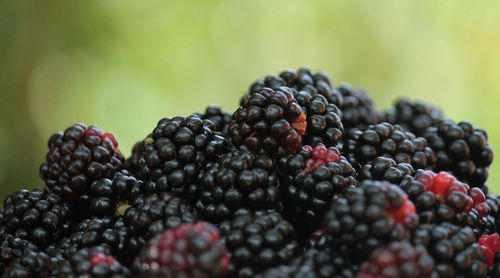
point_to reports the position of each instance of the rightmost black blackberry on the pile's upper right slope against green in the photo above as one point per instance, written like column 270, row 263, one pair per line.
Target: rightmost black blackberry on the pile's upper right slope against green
column 461, row 149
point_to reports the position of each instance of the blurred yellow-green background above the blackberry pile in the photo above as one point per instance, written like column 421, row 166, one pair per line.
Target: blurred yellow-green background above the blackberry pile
column 123, row 65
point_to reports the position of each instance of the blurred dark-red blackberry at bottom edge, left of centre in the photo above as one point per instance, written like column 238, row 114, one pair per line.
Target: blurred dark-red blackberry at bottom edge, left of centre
column 189, row 250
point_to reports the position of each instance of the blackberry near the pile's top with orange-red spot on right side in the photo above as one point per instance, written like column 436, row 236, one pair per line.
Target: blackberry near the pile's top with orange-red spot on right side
column 270, row 120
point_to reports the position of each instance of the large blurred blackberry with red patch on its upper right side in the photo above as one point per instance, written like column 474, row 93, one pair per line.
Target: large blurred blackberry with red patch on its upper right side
column 366, row 218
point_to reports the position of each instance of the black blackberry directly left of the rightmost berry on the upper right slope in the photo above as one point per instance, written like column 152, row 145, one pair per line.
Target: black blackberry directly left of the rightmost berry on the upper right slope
column 387, row 152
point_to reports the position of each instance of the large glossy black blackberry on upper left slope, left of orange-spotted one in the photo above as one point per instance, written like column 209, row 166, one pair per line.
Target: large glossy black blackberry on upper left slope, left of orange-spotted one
column 175, row 152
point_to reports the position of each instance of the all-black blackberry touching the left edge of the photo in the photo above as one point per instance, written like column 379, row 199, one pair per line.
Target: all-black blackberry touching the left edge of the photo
column 38, row 216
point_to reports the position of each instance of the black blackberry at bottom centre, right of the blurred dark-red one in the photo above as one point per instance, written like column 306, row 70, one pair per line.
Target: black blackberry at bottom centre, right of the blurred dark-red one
column 258, row 241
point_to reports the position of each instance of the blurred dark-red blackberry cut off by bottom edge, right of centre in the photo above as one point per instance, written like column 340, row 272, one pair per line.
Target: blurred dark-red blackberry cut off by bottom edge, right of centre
column 398, row 259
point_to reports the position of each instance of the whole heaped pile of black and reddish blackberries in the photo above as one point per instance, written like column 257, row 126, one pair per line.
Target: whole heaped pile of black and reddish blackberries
column 304, row 179
